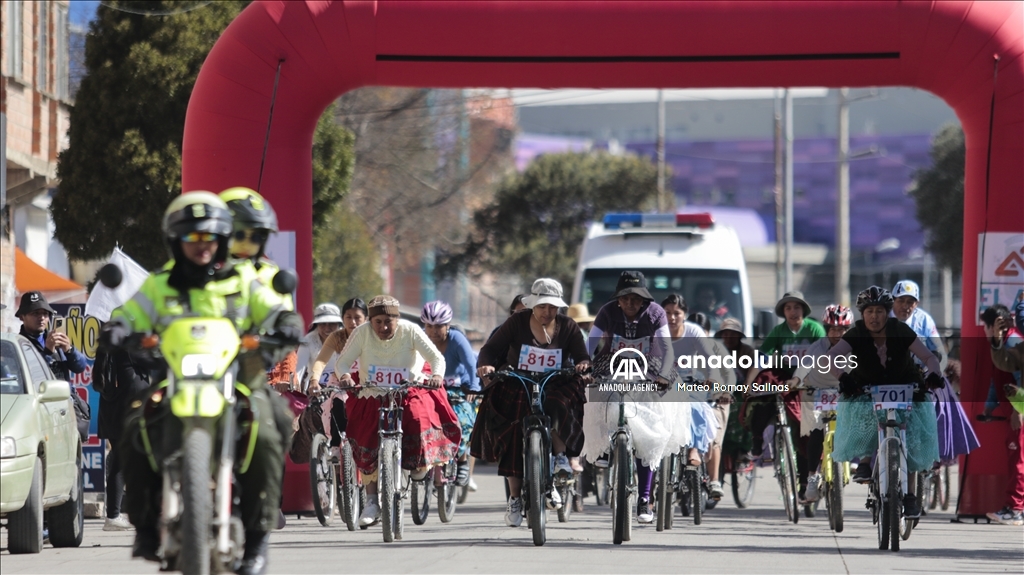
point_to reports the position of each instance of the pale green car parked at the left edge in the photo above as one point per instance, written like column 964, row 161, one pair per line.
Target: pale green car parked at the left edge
column 41, row 460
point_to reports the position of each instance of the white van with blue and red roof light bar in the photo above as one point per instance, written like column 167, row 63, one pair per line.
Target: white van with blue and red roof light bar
column 685, row 254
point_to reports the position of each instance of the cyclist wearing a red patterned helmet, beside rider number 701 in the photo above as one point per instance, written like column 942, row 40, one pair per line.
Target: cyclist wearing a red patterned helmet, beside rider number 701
column 837, row 321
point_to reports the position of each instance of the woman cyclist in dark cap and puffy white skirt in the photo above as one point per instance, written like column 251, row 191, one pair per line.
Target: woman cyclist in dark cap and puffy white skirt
column 632, row 320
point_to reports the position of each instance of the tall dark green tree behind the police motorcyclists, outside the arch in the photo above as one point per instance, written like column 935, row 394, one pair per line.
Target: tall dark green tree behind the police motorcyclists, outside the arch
column 123, row 165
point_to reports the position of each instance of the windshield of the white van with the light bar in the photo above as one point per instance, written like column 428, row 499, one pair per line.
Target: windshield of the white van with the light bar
column 716, row 293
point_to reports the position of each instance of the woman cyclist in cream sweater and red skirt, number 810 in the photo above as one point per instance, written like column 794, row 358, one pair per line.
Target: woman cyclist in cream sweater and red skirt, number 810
column 431, row 429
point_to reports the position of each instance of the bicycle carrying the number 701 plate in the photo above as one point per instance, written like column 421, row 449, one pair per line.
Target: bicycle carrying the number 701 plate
column 890, row 479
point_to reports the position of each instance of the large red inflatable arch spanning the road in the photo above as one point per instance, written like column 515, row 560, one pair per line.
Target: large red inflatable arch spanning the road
column 953, row 50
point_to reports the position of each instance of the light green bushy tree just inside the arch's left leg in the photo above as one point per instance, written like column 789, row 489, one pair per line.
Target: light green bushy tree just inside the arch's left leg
column 349, row 259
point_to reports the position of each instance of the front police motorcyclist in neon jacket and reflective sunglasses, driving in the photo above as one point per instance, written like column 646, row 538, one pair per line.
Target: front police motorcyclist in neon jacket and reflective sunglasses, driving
column 202, row 282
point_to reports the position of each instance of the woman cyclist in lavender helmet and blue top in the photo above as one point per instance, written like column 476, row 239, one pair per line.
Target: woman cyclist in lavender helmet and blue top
column 460, row 374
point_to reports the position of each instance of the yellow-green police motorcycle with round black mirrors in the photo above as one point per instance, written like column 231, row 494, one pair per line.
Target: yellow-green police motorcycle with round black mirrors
column 210, row 437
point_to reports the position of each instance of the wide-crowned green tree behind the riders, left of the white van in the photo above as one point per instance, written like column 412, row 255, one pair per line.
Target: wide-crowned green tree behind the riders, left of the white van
column 537, row 223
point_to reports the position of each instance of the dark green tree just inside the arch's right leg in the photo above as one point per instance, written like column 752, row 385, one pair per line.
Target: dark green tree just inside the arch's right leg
column 938, row 193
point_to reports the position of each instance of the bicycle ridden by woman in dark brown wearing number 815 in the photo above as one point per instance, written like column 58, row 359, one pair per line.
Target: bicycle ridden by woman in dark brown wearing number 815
column 538, row 480
